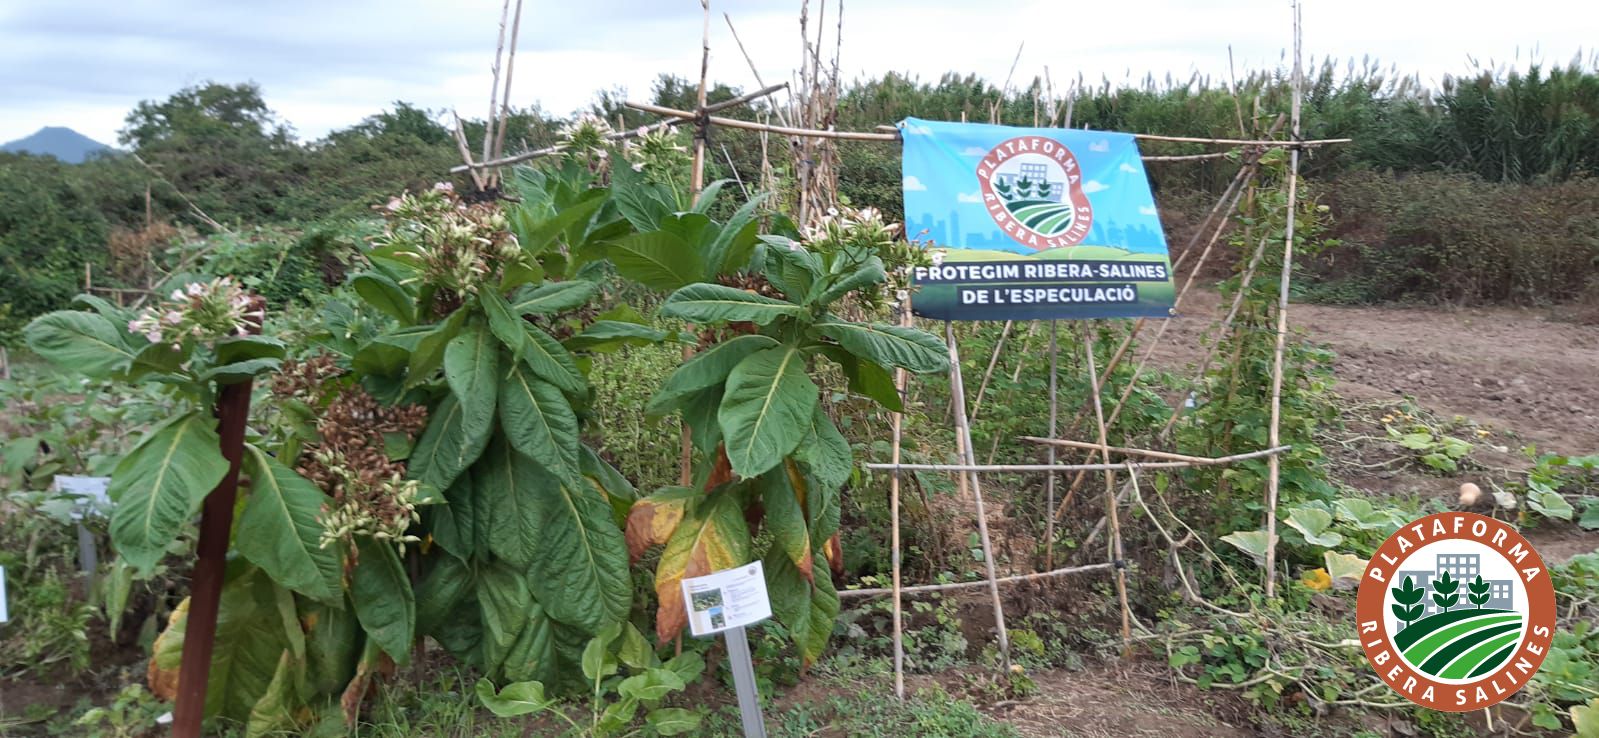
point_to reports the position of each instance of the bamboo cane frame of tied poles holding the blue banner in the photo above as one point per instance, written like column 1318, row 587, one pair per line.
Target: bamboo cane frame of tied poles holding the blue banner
column 807, row 124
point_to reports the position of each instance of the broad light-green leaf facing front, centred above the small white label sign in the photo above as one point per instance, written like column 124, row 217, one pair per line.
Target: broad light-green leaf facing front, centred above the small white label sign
column 767, row 410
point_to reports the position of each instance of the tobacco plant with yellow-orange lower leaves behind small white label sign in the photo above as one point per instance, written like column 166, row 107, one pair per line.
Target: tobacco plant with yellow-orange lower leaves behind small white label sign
column 768, row 454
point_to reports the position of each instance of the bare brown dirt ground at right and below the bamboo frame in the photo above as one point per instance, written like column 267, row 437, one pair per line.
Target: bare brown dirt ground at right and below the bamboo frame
column 1517, row 373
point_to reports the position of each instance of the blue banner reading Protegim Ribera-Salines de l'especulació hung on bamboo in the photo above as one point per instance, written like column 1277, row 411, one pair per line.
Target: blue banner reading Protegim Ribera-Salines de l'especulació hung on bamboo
column 1034, row 224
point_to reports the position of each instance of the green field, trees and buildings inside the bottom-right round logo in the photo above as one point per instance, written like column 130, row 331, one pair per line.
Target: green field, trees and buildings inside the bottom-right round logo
column 1454, row 629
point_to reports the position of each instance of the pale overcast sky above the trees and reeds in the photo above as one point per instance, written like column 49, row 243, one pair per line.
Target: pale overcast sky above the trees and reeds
column 327, row 65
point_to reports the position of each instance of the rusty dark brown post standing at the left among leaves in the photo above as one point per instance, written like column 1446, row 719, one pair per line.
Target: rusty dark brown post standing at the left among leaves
column 205, row 595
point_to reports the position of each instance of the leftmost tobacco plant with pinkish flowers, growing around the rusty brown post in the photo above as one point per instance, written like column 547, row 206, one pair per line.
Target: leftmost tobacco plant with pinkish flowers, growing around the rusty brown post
column 196, row 341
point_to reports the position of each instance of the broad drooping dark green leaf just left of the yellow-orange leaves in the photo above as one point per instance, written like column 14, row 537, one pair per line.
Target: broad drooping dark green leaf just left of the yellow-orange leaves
column 580, row 565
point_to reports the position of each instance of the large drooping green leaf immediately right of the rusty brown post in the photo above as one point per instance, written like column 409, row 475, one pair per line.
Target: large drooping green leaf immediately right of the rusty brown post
column 281, row 530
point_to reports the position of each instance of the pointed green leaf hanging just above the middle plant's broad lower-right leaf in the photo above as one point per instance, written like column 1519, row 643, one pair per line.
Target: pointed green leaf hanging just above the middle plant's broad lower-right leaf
column 540, row 423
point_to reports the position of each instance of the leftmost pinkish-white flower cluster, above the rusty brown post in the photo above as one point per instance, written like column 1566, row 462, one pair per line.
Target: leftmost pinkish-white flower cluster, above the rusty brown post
column 202, row 312
